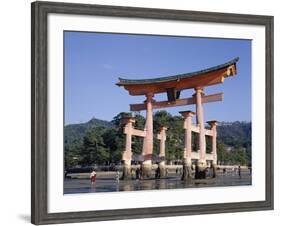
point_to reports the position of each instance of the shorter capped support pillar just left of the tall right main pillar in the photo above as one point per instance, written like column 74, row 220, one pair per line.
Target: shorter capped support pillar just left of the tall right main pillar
column 187, row 172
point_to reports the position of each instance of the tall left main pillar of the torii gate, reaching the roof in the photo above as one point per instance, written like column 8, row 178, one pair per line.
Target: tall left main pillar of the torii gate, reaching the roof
column 147, row 148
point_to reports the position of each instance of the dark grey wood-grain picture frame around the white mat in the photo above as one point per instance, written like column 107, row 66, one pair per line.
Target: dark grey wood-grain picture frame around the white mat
column 39, row 191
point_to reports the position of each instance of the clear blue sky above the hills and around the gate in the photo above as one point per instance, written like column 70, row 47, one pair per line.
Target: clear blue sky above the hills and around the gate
column 94, row 61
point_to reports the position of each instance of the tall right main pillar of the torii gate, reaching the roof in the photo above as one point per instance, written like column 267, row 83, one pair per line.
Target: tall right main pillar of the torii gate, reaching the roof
column 201, row 164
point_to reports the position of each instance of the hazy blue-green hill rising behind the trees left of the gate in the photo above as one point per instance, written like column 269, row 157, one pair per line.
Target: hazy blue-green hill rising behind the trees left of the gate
column 75, row 132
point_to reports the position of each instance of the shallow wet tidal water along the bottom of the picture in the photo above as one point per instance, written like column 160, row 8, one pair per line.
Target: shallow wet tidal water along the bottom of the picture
column 109, row 184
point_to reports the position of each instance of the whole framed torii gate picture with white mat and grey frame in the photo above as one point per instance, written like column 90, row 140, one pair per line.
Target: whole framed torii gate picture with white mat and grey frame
column 140, row 112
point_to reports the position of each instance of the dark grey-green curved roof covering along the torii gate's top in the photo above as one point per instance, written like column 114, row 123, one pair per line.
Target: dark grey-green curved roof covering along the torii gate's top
column 123, row 81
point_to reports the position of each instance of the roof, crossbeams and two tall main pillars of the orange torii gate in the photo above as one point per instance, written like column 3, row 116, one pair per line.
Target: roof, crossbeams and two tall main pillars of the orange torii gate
column 173, row 85
